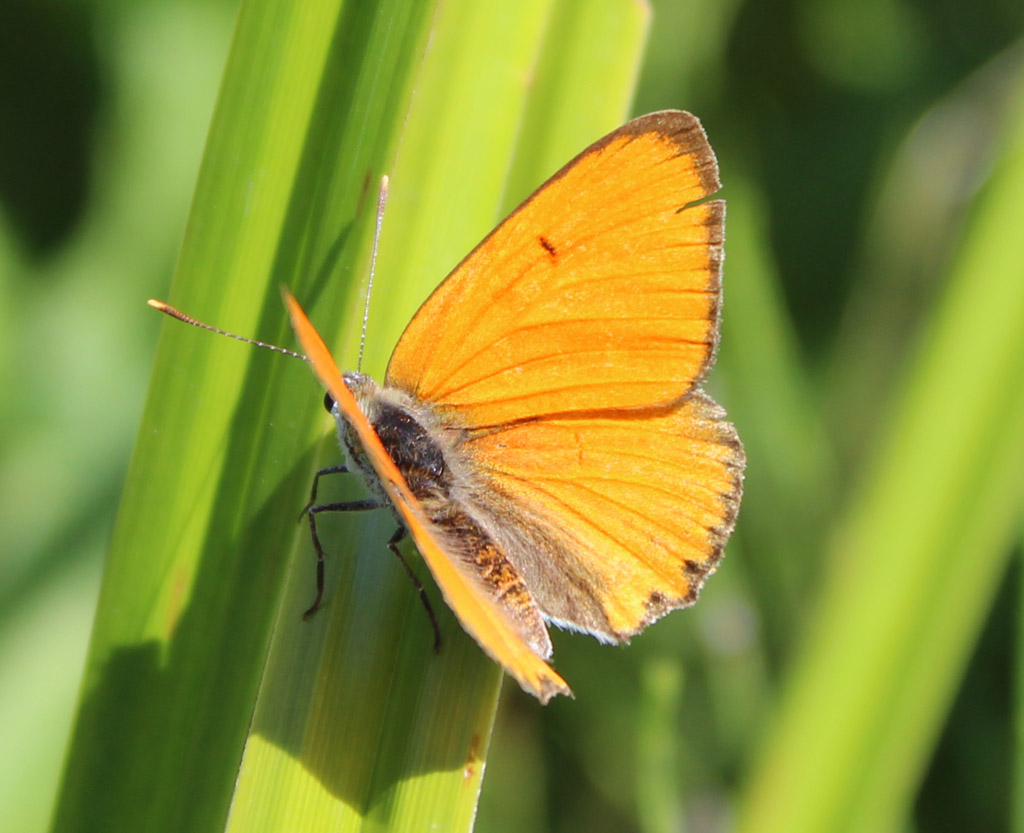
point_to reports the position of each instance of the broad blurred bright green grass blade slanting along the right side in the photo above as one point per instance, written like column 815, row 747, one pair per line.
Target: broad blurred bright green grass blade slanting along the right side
column 918, row 563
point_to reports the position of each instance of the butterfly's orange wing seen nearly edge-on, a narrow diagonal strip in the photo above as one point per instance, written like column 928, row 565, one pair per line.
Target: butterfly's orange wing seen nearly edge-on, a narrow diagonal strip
column 482, row 618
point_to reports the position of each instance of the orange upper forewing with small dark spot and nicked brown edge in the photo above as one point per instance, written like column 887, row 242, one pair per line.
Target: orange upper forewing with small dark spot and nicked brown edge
column 603, row 290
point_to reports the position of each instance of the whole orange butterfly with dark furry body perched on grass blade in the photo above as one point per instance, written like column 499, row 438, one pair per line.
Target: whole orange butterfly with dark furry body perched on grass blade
column 541, row 431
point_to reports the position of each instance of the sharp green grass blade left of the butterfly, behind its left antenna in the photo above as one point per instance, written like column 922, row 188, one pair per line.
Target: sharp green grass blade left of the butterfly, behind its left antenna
column 196, row 568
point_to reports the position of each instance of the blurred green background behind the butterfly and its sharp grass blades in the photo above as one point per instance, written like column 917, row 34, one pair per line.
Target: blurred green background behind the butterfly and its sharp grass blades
column 866, row 150
